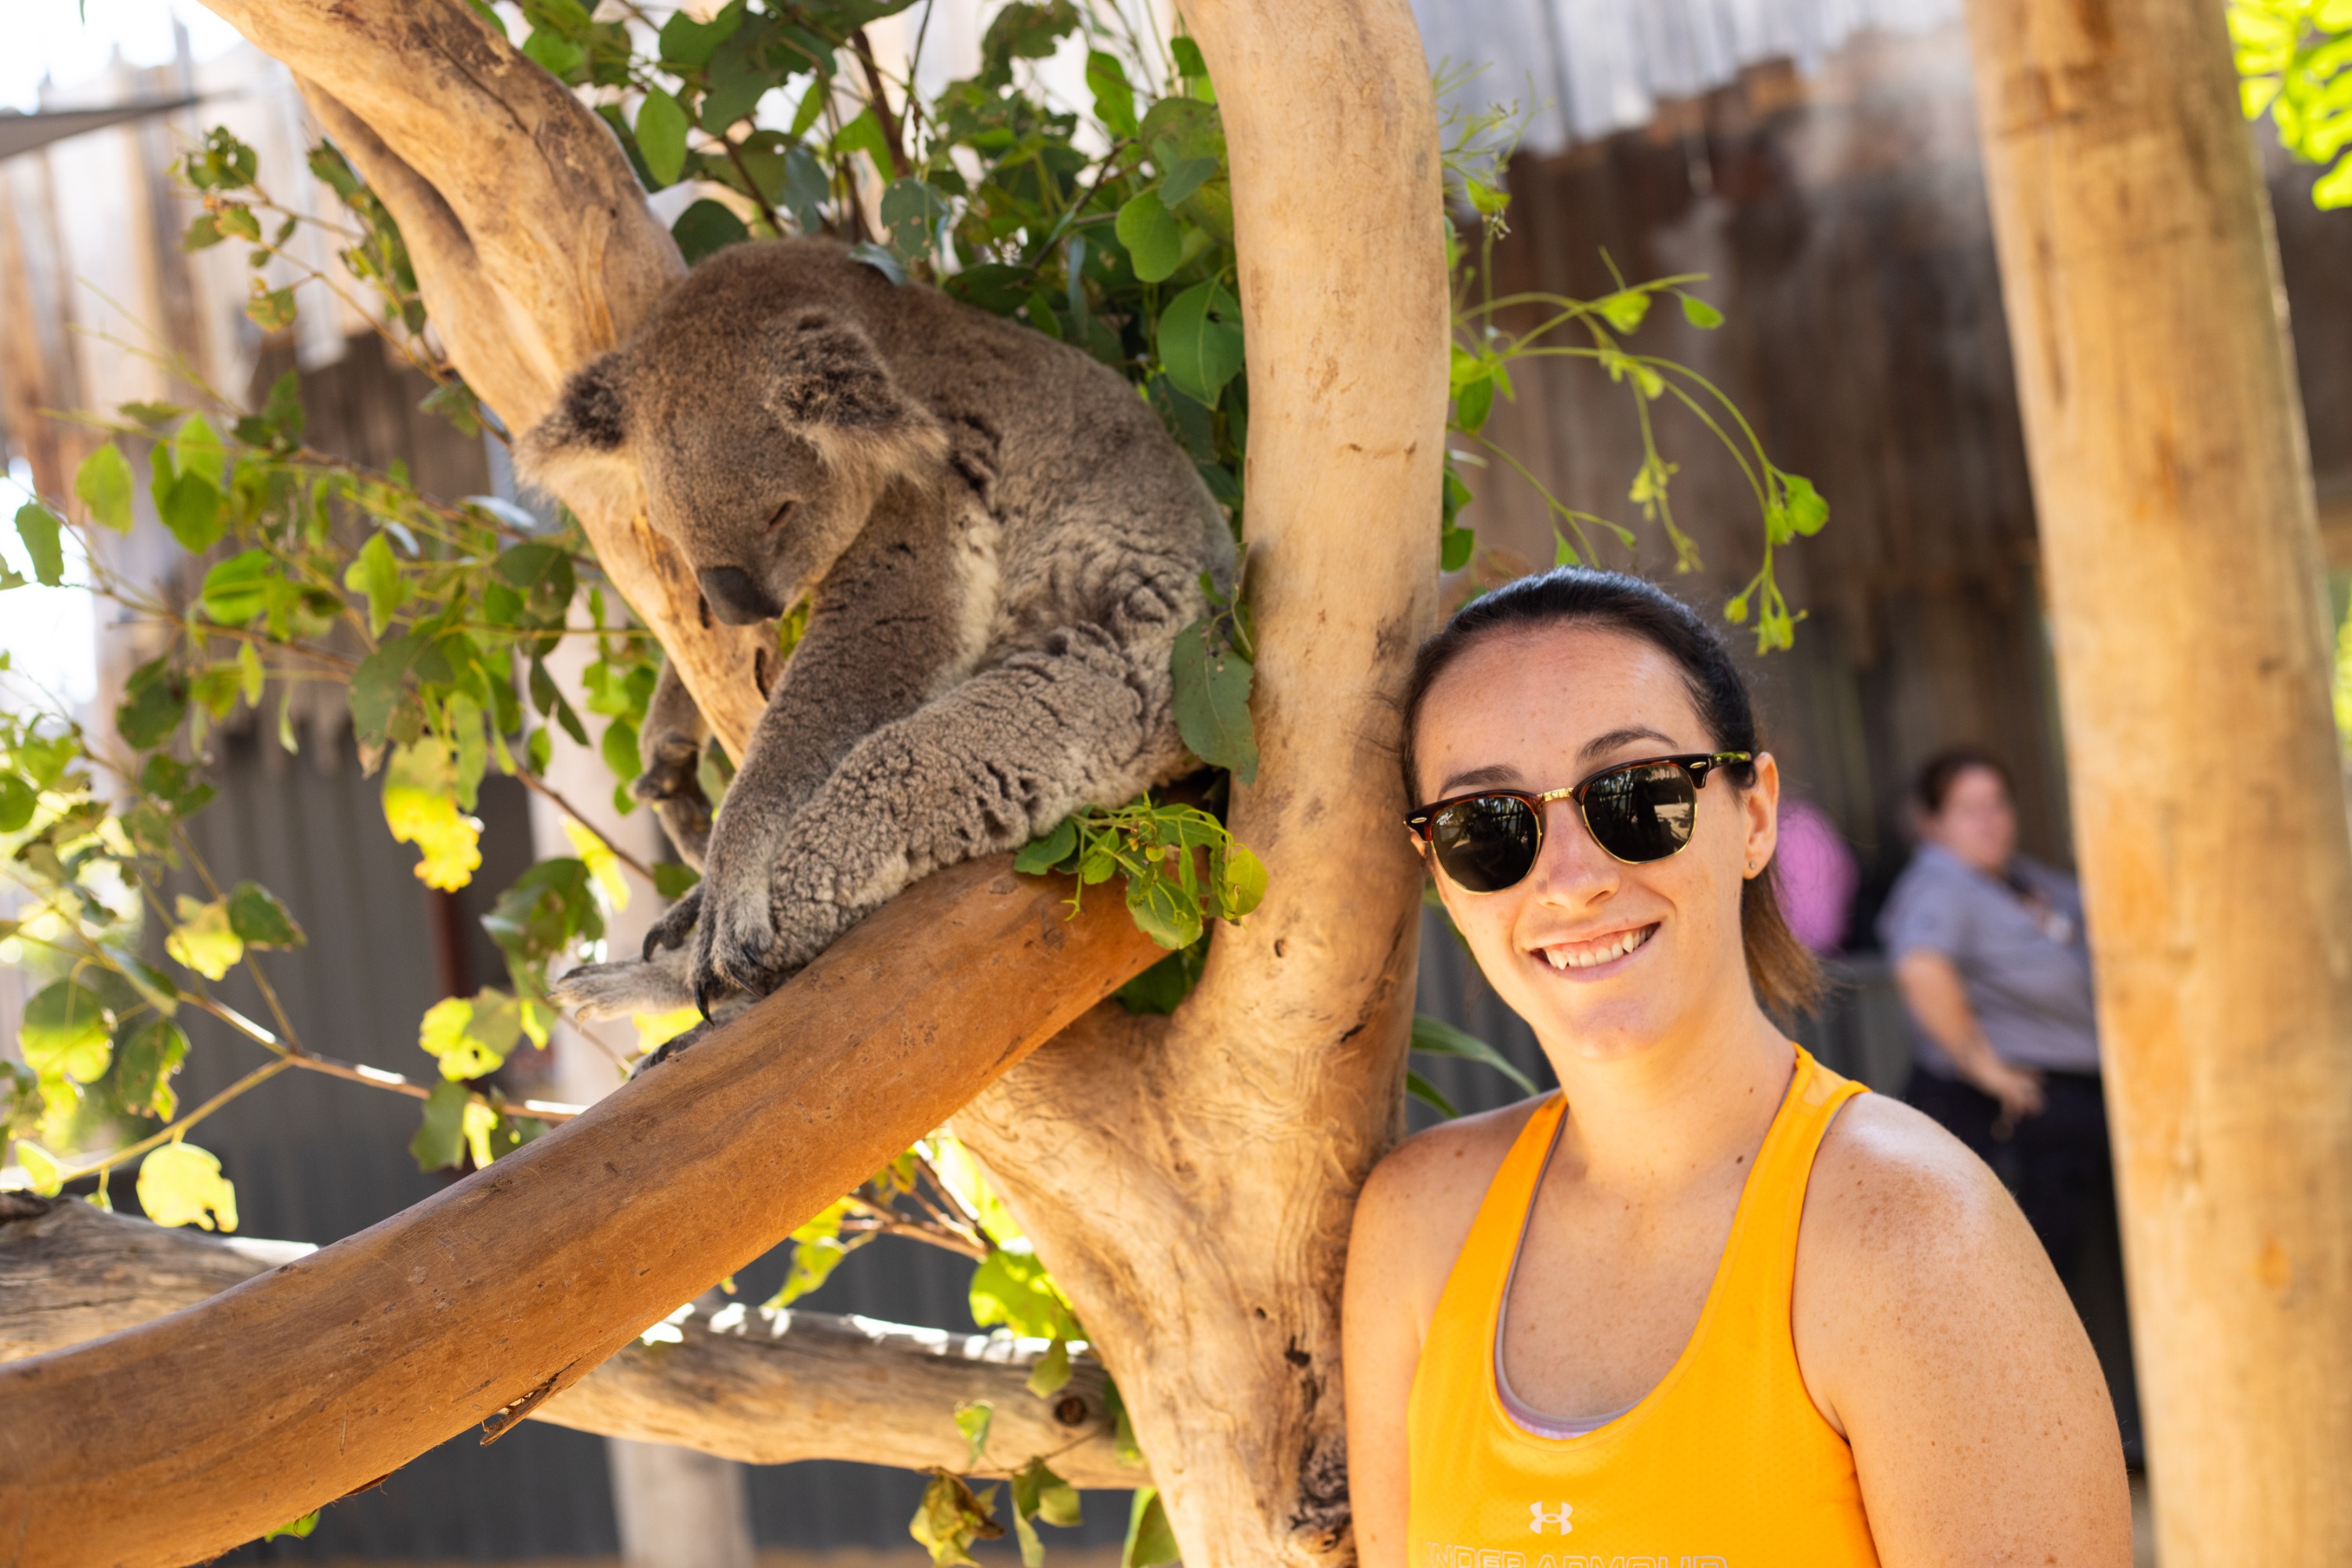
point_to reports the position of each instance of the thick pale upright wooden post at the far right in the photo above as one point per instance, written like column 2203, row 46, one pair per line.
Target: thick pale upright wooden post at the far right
column 2186, row 598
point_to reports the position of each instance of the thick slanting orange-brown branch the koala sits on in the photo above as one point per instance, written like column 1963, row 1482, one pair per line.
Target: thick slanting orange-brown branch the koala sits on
column 514, row 1285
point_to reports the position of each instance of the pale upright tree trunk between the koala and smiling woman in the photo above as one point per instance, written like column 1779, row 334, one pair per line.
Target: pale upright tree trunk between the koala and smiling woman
column 1191, row 1181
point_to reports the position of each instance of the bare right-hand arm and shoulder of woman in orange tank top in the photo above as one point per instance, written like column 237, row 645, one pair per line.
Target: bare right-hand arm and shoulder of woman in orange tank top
column 1937, row 1336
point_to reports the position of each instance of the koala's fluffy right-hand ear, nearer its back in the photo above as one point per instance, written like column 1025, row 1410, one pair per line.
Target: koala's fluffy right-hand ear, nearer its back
column 831, row 389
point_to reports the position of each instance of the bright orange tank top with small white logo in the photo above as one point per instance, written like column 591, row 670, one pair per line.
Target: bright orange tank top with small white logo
column 1723, row 1466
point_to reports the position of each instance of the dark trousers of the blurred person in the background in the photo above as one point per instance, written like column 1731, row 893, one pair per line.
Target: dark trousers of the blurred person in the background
column 2057, row 1162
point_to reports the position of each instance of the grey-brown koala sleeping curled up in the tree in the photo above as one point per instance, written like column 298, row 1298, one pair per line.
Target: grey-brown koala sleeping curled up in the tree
column 998, row 544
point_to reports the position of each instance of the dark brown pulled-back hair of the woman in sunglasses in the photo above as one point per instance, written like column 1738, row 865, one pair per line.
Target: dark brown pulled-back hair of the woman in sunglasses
column 1784, row 972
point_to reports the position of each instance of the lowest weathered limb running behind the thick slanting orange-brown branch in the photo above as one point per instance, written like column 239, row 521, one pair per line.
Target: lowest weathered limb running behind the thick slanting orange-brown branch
column 740, row 1383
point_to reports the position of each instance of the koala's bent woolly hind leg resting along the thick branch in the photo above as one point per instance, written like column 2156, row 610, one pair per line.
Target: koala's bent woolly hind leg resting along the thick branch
column 980, row 770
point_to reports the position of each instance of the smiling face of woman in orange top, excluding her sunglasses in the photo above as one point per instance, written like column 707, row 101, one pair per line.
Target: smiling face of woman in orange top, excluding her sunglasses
column 1601, row 958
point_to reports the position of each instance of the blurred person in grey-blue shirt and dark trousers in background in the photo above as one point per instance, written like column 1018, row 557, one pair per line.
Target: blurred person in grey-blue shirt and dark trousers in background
column 1989, row 953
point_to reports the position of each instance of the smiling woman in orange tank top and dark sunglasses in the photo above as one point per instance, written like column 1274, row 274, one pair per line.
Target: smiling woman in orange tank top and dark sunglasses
column 1709, row 1304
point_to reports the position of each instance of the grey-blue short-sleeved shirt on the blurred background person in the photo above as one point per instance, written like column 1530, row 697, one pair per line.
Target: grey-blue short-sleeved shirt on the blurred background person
column 2029, row 979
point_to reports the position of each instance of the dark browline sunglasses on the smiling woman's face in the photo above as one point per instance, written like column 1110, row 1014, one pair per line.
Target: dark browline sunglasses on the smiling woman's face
column 1638, row 812
